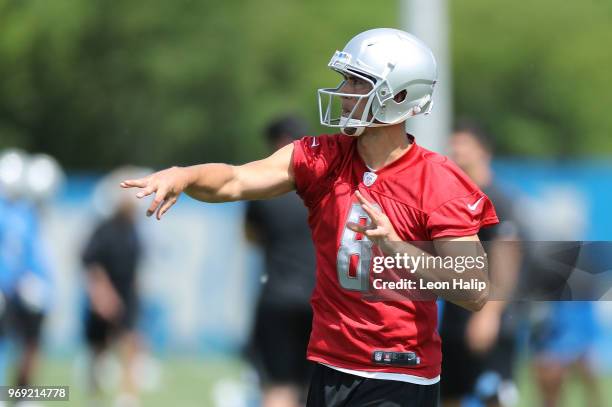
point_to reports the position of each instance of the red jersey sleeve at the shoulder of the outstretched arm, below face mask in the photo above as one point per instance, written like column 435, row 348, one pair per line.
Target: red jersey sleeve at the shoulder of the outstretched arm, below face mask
column 314, row 158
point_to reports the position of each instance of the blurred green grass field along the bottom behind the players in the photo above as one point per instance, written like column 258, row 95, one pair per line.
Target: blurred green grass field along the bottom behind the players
column 191, row 383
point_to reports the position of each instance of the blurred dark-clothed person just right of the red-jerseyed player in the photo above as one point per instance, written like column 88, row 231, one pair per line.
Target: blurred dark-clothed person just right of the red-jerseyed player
column 479, row 348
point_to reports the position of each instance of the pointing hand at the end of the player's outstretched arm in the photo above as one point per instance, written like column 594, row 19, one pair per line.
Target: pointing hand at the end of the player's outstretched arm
column 167, row 185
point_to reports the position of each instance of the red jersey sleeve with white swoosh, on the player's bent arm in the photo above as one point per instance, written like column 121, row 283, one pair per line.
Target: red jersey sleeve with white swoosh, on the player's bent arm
column 461, row 216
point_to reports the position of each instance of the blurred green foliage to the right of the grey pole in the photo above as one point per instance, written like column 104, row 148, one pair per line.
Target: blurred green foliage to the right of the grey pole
column 536, row 73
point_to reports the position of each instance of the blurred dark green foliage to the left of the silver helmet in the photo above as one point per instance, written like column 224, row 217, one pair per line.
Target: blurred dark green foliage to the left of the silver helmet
column 101, row 83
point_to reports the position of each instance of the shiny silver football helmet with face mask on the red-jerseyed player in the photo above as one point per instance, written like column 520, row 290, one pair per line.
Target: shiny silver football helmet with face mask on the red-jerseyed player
column 392, row 61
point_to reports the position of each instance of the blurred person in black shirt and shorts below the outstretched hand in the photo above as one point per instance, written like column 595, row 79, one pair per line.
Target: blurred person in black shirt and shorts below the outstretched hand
column 111, row 259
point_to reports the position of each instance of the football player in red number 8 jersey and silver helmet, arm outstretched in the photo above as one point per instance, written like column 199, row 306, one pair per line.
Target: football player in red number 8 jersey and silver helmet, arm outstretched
column 368, row 187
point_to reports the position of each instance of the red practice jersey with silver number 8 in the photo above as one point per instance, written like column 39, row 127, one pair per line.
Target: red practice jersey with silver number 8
column 426, row 197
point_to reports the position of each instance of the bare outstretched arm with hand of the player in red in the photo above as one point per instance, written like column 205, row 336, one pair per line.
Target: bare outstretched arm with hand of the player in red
column 262, row 179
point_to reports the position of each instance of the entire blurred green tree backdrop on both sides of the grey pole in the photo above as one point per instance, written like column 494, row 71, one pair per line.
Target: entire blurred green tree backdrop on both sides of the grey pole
column 99, row 83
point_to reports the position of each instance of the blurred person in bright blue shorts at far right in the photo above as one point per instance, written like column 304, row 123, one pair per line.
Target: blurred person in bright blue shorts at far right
column 563, row 327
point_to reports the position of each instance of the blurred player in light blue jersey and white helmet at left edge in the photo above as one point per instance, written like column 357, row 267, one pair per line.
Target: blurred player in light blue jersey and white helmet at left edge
column 28, row 183
